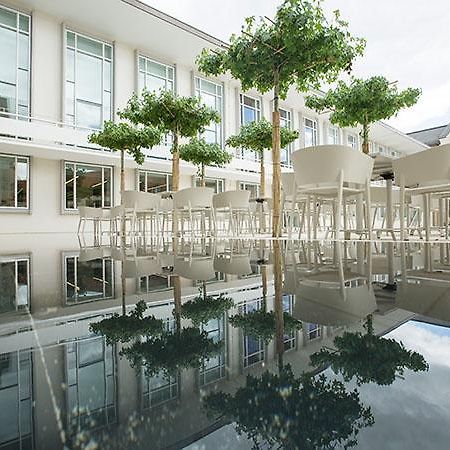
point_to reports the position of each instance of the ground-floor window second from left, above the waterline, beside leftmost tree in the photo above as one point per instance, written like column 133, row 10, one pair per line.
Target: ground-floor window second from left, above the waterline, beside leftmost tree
column 87, row 185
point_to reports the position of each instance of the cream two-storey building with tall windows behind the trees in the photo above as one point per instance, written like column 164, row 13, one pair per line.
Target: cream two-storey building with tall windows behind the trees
column 65, row 67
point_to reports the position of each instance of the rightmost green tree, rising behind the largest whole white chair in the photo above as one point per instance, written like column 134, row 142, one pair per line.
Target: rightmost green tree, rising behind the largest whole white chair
column 363, row 102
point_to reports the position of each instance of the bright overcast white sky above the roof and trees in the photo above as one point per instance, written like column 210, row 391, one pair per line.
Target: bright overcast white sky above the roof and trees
column 407, row 42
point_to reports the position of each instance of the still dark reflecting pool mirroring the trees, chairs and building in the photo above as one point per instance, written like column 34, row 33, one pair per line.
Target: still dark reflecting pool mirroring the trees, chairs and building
column 223, row 344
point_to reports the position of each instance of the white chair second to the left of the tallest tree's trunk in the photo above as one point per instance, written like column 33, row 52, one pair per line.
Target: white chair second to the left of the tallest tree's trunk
column 194, row 205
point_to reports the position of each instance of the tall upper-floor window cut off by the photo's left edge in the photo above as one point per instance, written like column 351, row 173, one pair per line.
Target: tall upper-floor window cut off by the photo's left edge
column 14, row 63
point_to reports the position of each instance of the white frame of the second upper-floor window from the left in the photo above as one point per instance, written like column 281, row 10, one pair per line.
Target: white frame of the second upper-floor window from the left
column 111, row 60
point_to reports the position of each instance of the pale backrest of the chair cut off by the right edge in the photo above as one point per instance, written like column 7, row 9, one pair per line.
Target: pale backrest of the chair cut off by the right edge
column 427, row 168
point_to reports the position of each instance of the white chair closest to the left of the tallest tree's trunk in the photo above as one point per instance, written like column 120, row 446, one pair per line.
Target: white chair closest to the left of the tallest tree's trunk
column 236, row 206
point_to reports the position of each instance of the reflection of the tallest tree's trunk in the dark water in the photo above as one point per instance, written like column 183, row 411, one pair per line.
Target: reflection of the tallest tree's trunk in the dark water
column 279, row 313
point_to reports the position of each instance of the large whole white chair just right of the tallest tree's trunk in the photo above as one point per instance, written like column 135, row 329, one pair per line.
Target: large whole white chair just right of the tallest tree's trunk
column 332, row 172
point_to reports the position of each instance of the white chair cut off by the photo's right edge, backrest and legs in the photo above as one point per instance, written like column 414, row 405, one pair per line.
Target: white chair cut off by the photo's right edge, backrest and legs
column 426, row 173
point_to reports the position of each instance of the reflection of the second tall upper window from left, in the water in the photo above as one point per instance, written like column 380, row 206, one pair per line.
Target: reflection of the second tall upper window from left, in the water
column 91, row 385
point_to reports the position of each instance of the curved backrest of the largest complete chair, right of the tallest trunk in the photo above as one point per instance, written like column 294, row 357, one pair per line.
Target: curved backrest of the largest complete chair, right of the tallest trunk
column 322, row 165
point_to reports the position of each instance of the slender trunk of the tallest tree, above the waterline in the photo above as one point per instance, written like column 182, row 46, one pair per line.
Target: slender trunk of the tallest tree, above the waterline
column 276, row 187
